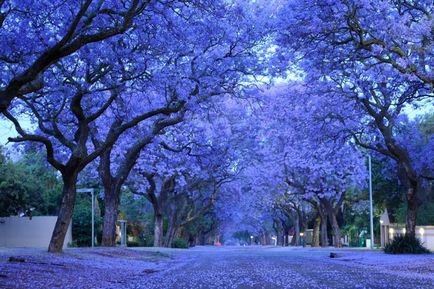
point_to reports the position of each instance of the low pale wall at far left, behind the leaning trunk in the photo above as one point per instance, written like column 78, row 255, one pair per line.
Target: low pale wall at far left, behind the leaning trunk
column 23, row 232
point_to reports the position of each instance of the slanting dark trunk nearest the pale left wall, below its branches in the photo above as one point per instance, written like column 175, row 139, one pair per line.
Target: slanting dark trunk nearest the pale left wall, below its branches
column 65, row 212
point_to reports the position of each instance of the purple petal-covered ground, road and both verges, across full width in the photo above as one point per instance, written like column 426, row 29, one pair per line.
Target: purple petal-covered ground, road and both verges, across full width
column 213, row 267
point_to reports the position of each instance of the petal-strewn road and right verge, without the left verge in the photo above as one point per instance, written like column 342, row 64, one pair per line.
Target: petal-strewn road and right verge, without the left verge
column 259, row 267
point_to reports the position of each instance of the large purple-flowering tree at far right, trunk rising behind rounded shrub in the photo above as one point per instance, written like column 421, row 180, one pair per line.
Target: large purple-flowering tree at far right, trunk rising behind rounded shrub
column 376, row 55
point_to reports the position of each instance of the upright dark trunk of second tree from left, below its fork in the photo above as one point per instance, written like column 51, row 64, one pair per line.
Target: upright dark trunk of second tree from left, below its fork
column 111, row 211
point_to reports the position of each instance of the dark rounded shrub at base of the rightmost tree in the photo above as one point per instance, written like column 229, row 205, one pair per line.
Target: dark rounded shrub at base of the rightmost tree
column 405, row 244
